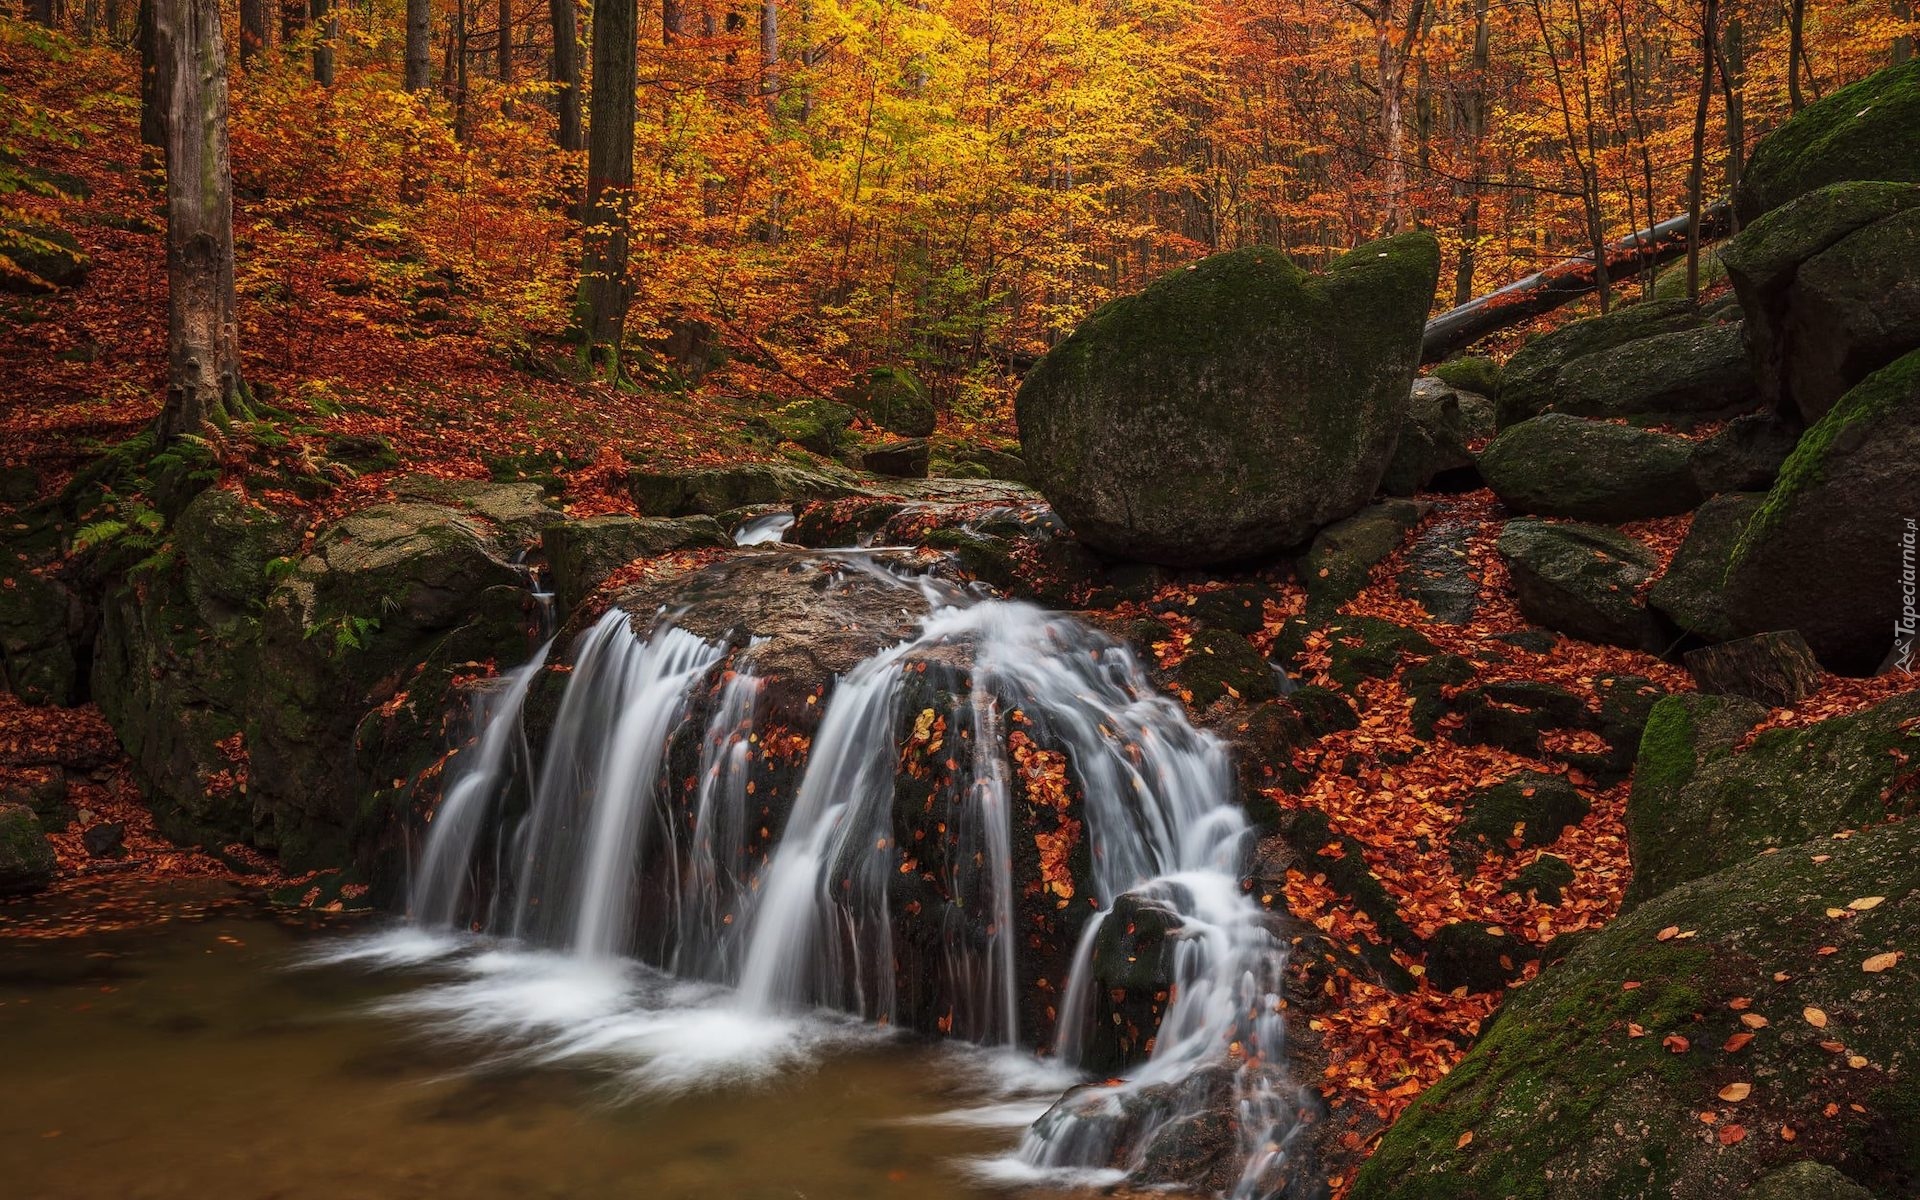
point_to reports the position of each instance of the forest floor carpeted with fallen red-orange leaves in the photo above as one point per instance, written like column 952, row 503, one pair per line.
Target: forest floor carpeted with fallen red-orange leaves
column 84, row 370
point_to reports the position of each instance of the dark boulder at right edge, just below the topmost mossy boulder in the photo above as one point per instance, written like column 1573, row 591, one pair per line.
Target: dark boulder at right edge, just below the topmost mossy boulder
column 1825, row 302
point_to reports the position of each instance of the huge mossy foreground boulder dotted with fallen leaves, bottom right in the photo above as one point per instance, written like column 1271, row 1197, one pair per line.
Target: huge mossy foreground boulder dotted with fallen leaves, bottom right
column 1593, row 1078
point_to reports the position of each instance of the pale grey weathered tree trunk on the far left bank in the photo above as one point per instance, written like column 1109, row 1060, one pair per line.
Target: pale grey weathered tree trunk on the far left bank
column 203, row 339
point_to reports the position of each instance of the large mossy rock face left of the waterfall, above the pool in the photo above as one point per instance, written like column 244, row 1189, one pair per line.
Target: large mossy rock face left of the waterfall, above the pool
column 291, row 700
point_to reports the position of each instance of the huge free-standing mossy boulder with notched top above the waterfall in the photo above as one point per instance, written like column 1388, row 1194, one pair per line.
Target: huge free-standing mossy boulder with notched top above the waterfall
column 1232, row 408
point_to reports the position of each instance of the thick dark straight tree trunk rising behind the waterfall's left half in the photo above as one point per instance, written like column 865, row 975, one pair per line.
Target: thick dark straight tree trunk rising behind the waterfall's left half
column 604, row 287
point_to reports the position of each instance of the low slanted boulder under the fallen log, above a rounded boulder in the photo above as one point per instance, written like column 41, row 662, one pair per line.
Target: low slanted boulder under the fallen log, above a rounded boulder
column 1681, row 379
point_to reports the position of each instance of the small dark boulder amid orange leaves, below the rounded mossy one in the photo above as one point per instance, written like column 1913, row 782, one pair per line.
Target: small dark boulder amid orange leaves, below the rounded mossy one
column 1583, row 581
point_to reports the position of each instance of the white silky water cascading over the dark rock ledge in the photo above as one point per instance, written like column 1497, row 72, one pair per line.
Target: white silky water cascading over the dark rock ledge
column 644, row 836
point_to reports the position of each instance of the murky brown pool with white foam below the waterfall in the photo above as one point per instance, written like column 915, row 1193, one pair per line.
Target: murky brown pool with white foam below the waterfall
column 212, row 1047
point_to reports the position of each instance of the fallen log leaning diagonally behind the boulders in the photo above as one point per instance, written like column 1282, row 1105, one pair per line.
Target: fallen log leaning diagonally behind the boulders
column 1545, row 291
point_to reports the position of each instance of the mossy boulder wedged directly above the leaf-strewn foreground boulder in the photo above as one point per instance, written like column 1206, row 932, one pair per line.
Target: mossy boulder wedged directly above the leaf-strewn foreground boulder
column 1704, row 800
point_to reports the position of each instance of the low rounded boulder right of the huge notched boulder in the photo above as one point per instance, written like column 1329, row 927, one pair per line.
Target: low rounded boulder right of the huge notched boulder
column 1564, row 466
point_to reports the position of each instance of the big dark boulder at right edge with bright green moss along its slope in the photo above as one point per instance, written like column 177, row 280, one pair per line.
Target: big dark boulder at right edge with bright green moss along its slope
column 1827, row 552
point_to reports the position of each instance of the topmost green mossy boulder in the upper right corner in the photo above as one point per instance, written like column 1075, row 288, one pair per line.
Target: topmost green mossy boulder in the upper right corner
column 1869, row 130
